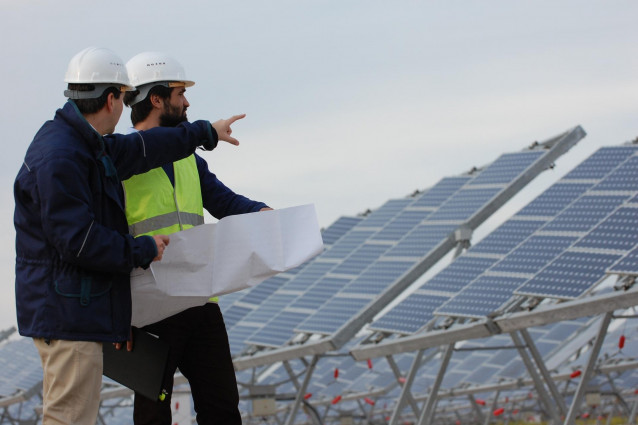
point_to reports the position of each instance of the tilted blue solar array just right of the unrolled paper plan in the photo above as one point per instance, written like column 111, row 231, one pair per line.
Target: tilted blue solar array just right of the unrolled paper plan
column 379, row 250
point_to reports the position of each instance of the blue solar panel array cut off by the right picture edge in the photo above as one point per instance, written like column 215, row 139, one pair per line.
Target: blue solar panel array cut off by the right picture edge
column 559, row 245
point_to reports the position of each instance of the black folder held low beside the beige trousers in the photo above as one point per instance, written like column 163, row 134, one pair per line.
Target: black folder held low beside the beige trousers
column 142, row 369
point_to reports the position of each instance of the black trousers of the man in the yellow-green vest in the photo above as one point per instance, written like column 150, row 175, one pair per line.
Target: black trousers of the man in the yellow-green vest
column 199, row 348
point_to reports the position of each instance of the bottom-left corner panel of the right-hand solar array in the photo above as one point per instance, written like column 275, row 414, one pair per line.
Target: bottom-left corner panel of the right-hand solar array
column 409, row 315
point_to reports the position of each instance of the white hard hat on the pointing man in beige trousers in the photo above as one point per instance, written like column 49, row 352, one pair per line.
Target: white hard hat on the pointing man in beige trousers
column 98, row 66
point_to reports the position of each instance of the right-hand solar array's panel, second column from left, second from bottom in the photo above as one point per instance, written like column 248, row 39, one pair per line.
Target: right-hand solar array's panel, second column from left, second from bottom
column 534, row 254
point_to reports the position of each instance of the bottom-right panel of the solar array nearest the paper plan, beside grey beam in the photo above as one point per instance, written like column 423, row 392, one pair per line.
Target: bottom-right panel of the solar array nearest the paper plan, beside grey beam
column 332, row 315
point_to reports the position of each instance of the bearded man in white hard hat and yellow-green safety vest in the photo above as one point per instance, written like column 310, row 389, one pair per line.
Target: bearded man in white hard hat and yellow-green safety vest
column 166, row 200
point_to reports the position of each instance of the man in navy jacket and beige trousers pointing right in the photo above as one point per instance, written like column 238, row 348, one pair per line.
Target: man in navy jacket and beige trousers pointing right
column 73, row 251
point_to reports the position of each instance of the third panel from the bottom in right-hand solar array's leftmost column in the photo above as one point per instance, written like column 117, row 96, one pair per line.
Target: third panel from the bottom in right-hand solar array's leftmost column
column 506, row 237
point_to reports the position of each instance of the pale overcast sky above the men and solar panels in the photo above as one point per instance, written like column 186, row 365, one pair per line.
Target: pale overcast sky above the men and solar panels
column 349, row 103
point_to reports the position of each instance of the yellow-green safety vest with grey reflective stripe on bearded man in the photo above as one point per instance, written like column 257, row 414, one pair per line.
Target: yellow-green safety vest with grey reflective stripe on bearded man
column 154, row 206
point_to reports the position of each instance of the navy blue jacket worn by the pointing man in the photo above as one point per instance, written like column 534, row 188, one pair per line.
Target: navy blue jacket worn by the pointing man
column 73, row 251
